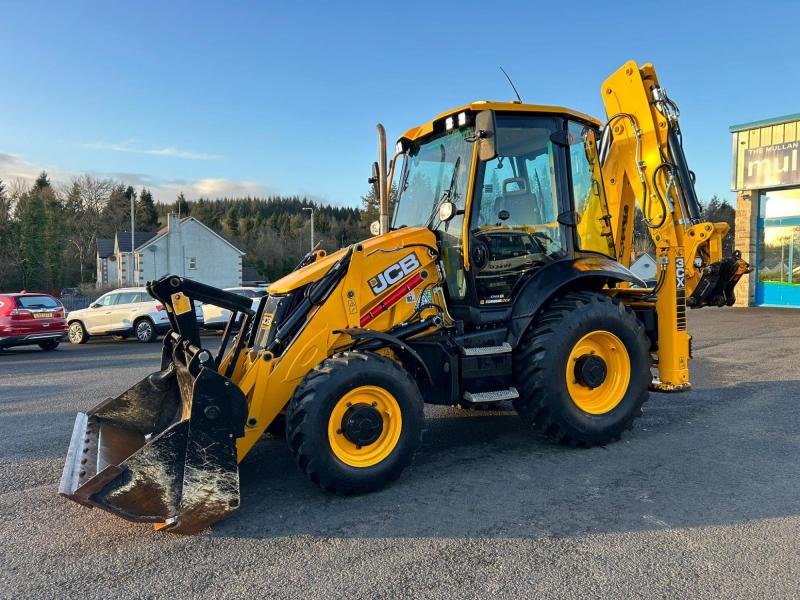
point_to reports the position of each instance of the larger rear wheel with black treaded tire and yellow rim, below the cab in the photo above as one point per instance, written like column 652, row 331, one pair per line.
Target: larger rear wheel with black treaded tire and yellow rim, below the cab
column 579, row 407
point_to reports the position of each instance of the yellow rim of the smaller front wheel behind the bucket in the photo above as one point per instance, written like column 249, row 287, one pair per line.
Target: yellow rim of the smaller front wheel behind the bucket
column 391, row 420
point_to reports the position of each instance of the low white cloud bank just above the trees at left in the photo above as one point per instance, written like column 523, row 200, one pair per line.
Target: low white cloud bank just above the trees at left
column 13, row 167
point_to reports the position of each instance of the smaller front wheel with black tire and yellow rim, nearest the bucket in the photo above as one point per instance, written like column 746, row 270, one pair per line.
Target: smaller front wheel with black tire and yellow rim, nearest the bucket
column 349, row 398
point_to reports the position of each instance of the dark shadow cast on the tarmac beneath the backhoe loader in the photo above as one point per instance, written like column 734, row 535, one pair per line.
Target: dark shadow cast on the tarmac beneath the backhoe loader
column 698, row 459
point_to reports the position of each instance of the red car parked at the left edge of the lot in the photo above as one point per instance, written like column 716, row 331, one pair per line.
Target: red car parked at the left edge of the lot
column 29, row 318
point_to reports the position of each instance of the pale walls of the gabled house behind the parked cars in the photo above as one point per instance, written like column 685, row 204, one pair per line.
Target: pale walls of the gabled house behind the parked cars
column 184, row 247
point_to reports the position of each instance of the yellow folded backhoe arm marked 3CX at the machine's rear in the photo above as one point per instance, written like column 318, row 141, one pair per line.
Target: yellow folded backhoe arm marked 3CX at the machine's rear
column 643, row 164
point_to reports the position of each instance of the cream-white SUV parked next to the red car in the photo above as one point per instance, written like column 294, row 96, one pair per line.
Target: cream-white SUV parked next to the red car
column 122, row 313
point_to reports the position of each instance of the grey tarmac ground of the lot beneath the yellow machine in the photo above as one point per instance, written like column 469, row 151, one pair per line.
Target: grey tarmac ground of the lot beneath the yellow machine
column 701, row 499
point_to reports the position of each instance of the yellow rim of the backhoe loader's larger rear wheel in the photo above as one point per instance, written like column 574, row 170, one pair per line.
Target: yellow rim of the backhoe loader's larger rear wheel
column 606, row 396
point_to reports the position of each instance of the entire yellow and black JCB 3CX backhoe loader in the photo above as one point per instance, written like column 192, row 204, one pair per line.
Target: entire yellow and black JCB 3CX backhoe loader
column 503, row 276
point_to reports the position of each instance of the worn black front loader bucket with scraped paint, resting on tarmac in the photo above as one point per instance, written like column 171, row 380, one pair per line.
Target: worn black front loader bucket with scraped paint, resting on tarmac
column 164, row 451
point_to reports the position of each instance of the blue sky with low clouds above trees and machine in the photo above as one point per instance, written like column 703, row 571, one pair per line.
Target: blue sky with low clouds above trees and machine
column 282, row 97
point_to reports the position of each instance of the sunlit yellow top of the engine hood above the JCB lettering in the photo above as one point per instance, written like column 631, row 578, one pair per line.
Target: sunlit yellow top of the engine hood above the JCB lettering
column 407, row 236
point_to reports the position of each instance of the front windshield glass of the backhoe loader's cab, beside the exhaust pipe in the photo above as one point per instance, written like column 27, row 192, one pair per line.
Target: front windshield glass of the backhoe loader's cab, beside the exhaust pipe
column 427, row 176
